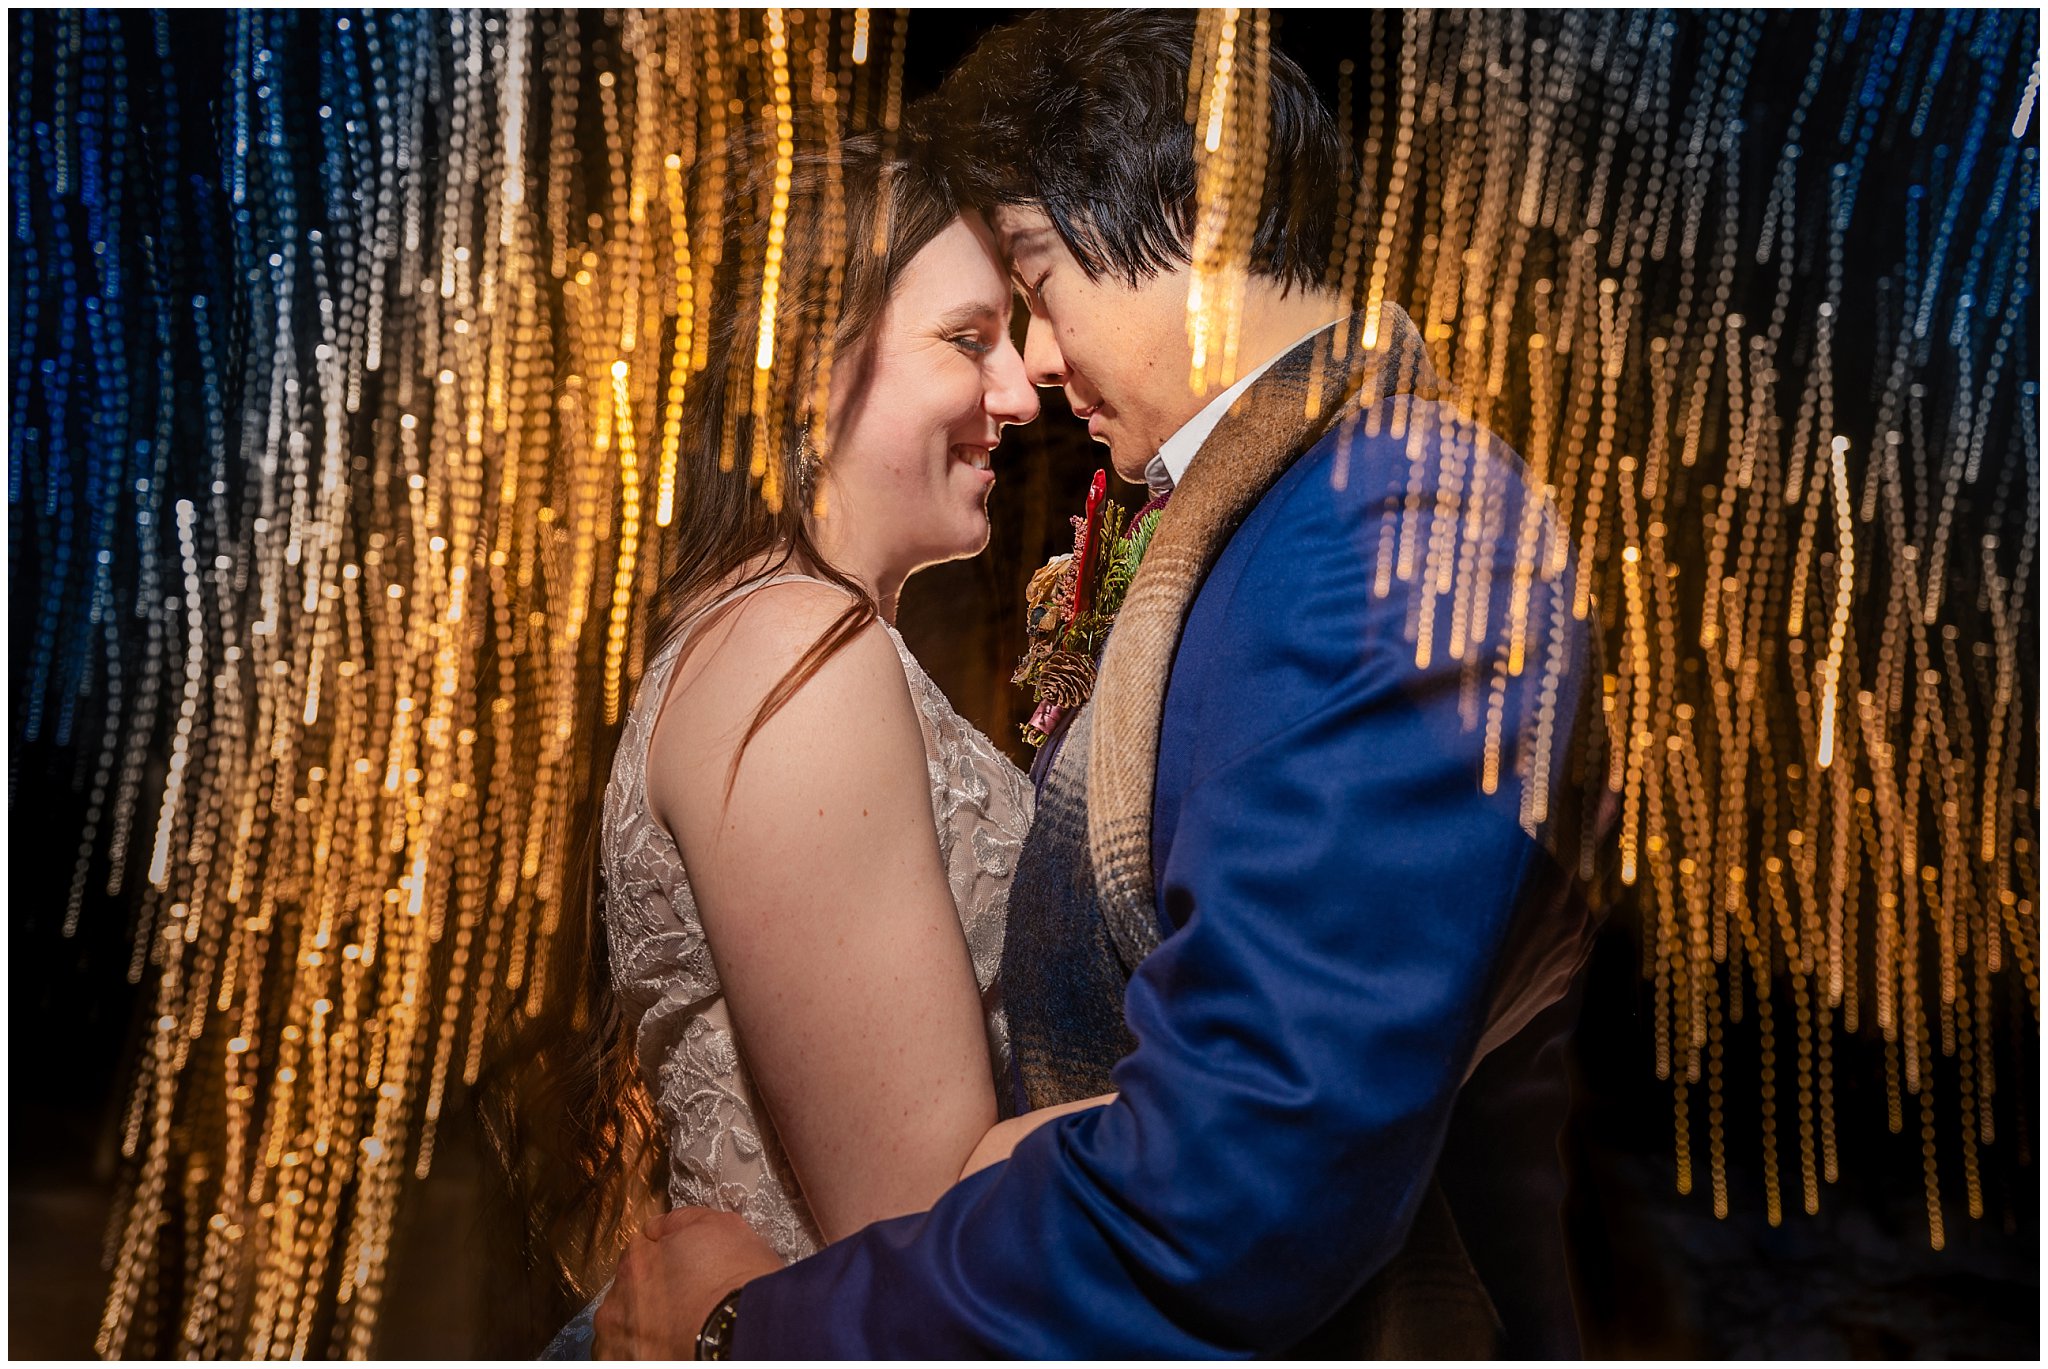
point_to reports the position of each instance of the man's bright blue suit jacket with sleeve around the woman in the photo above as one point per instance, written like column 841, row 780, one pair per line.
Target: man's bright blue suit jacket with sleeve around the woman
column 1336, row 899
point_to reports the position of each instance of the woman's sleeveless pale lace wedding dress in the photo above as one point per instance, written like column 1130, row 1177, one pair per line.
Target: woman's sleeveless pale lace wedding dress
column 720, row 1138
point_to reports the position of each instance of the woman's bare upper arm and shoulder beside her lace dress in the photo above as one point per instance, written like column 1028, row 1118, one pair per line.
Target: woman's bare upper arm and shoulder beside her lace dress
column 828, row 913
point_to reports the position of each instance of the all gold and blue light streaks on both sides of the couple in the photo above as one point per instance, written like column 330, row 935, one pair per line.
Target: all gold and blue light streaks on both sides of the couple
column 347, row 360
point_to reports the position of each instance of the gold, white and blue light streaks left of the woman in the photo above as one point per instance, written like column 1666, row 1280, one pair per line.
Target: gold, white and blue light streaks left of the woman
column 366, row 653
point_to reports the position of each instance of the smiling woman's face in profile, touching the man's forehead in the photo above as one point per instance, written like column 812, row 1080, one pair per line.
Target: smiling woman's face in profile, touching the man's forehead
column 910, row 468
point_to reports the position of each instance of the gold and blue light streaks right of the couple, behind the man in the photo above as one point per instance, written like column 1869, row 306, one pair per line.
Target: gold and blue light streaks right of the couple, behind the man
column 1756, row 300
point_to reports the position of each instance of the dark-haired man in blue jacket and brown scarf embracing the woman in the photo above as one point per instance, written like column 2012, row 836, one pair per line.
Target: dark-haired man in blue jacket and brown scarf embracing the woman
column 1269, row 897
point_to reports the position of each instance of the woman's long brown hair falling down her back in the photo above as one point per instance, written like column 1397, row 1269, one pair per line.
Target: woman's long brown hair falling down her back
column 562, row 1100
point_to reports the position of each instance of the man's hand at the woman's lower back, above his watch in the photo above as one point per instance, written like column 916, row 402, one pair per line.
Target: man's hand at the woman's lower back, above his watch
column 671, row 1280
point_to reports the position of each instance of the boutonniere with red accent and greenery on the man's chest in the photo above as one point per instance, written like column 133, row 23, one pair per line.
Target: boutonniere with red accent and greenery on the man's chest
column 1072, row 604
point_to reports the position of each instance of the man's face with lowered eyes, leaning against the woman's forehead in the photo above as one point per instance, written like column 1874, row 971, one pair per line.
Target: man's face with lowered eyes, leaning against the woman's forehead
column 1119, row 351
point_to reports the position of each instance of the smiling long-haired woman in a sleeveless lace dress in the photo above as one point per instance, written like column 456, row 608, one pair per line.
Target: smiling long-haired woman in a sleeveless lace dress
column 806, row 849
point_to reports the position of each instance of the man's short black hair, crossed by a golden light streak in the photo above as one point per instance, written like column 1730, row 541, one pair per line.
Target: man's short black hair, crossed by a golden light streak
column 1082, row 114
